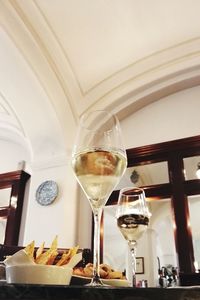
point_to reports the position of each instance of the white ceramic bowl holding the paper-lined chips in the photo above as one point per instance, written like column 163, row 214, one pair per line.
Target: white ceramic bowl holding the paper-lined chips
column 39, row 274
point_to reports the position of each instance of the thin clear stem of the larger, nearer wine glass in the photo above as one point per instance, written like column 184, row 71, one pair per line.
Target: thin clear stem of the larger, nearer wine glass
column 96, row 255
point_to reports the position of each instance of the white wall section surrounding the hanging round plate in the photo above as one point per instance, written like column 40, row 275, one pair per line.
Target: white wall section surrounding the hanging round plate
column 43, row 223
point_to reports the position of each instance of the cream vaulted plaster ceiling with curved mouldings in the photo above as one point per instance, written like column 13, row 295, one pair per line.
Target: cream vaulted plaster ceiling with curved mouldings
column 61, row 58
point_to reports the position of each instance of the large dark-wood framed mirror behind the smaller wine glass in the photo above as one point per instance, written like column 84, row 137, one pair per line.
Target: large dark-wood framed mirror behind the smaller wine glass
column 164, row 171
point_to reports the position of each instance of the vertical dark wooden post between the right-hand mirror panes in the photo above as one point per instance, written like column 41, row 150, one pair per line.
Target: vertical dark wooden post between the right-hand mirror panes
column 182, row 230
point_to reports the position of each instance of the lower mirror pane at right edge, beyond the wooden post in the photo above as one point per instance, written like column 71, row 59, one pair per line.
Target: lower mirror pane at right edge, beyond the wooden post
column 194, row 204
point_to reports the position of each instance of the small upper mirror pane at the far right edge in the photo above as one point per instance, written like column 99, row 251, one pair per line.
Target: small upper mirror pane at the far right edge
column 191, row 166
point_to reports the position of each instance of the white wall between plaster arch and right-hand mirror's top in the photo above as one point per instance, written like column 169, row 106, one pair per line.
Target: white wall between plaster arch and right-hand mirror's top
column 173, row 117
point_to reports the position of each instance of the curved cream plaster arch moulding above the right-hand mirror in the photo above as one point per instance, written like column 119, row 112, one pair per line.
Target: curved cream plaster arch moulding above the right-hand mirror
column 160, row 80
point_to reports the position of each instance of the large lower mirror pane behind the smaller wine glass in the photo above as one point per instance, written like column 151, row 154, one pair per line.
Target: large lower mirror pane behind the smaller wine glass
column 157, row 246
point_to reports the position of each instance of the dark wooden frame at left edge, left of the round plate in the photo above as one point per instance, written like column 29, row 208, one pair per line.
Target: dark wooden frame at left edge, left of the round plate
column 17, row 182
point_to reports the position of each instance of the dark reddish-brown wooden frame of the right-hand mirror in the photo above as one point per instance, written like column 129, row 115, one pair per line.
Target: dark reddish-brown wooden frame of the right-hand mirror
column 172, row 152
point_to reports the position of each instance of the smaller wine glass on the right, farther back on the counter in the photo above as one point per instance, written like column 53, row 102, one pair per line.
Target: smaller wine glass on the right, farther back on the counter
column 132, row 220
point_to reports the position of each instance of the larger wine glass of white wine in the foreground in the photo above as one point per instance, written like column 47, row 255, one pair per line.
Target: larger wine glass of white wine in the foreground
column 99, row 161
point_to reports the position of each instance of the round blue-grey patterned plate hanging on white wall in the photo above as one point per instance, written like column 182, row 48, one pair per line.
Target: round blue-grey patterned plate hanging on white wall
column 47, row 192
